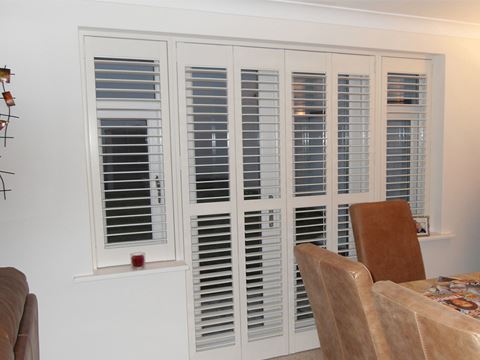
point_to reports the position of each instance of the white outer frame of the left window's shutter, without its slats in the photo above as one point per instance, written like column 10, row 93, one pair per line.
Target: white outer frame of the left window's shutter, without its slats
column 97, row 47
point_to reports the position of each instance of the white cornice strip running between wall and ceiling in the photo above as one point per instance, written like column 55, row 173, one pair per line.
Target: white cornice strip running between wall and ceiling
column 325, row 14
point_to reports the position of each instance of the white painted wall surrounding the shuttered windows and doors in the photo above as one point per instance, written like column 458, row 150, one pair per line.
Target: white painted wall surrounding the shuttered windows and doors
column 45, row 221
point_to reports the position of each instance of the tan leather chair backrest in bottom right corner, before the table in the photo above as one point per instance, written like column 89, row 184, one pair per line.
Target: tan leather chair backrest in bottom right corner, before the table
column 423, row 328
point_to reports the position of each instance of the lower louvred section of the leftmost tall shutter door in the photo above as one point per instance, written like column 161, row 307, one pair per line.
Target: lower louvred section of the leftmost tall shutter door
column 212, row 281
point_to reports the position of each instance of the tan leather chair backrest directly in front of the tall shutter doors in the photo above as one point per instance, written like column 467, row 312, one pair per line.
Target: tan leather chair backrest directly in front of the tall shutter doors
column 340, row 295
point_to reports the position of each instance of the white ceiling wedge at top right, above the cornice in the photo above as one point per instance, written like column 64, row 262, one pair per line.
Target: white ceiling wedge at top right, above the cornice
column 466, row 11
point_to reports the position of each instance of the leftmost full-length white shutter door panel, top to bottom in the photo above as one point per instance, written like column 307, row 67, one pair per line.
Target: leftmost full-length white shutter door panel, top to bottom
column 205, row 78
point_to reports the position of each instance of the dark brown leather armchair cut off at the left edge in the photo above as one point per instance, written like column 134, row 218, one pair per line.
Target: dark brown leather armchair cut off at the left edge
column 18, row 317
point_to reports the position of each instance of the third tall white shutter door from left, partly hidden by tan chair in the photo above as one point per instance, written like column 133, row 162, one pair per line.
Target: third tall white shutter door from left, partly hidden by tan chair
column 308, row 188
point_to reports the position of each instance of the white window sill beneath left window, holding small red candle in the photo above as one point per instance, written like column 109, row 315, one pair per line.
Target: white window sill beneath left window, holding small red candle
column 125, row 271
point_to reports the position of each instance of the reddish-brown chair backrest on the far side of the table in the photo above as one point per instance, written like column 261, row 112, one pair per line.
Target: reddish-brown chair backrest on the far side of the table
column 386, row 240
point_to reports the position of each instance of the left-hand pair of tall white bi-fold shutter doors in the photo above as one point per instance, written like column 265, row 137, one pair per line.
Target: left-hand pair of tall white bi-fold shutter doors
column 234, row 209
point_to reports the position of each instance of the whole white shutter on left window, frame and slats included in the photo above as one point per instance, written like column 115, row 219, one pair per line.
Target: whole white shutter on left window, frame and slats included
column 128, row 123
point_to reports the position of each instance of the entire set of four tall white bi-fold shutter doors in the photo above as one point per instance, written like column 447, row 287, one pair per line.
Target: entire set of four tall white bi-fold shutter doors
column 259, row 183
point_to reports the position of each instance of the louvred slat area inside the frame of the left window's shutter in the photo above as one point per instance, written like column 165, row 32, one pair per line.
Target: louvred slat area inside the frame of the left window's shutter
column 131, row 151
